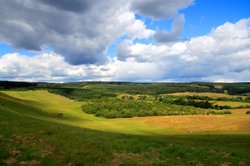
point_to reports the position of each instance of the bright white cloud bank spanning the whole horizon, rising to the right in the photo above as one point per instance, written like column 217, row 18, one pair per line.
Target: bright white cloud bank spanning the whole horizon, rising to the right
column 212, row 57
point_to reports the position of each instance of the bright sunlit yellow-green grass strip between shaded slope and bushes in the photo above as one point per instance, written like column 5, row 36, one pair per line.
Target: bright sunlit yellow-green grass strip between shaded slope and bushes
column 52, row 105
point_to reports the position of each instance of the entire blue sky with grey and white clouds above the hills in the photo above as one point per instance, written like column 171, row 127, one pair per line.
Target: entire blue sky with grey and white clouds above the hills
column 125, row 40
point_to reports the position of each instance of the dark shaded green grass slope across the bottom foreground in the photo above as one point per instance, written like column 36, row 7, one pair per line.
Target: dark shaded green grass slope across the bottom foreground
column 30, row 136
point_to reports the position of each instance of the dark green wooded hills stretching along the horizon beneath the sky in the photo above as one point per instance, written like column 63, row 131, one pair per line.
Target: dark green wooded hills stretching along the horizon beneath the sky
column 137, row 88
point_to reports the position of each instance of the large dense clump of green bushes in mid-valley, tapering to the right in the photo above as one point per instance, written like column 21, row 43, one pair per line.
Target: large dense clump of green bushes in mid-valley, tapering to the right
column 127, row 108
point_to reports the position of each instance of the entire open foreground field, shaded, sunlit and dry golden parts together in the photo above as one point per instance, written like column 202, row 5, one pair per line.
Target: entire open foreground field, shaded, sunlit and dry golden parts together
column 40, row 128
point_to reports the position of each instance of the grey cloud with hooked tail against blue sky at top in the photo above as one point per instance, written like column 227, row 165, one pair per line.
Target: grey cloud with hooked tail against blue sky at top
column 164, row 9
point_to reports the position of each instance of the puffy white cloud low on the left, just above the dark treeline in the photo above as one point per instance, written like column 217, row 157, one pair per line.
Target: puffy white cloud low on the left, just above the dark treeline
column 44, row 67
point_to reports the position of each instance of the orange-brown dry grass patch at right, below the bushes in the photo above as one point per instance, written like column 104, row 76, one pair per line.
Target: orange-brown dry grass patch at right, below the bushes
column 238, row 123
